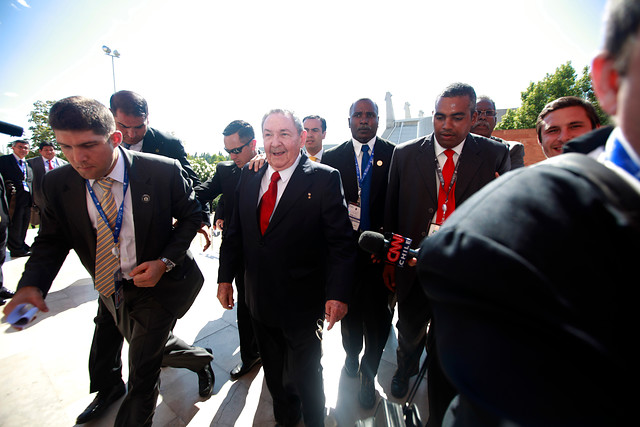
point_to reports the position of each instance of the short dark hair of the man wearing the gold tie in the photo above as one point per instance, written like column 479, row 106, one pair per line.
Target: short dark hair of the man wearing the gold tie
column 78, row 113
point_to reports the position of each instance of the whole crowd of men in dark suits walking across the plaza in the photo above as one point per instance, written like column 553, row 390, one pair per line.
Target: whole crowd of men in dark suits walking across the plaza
column 290, row 230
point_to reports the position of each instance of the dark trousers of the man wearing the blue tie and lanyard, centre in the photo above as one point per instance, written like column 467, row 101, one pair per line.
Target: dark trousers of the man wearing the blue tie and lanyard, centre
column 369, row 316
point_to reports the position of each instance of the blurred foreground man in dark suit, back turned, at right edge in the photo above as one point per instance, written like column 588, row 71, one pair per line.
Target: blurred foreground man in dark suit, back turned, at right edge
column 536, row 328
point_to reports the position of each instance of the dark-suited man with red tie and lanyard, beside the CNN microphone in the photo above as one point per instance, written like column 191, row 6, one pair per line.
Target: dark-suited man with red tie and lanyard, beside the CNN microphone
column 418, row 201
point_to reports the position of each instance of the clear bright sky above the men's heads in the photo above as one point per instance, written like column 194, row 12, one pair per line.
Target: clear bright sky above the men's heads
column 203, row 63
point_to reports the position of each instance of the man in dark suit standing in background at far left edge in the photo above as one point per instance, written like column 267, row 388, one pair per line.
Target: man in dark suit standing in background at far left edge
column 18, row 178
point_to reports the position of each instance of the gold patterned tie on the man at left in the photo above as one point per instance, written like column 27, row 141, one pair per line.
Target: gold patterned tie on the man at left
column 106, row 261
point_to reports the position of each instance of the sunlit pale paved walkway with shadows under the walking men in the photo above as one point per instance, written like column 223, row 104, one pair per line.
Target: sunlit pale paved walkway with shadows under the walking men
column 43, row 368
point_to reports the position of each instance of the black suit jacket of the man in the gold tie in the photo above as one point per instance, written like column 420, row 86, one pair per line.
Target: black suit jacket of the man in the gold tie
column 160, row 191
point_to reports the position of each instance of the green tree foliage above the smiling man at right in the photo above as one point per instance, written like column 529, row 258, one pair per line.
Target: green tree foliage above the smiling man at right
column 564, row 82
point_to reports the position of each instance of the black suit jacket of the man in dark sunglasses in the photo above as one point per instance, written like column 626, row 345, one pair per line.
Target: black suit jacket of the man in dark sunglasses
column 224, row 182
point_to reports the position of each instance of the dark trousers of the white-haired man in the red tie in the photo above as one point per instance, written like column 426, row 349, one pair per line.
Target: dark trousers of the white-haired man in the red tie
column 291, row 361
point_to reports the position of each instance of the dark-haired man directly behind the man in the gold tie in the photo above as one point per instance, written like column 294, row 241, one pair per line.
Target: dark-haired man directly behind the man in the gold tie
column 131, row 113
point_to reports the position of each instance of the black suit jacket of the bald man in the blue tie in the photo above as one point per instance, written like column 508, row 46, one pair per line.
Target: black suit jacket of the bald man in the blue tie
column 342, row 158
